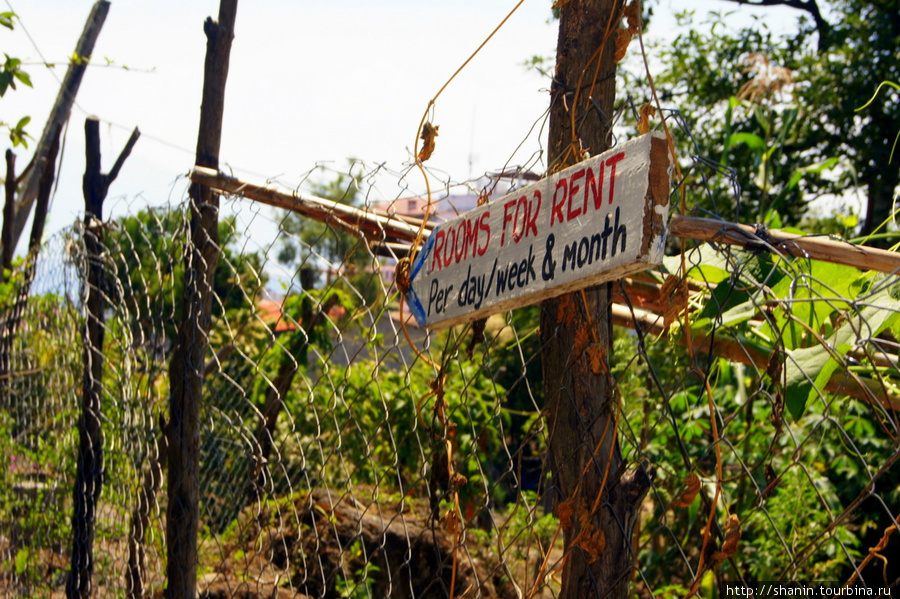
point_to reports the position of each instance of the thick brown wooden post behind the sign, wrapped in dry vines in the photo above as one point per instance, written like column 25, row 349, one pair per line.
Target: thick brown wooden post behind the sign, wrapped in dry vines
column 594, row 497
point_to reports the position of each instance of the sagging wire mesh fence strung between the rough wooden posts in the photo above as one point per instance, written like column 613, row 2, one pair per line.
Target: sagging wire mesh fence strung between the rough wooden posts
column 345, row 452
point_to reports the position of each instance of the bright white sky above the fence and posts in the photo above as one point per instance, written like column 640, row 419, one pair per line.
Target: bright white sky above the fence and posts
column 309, row 82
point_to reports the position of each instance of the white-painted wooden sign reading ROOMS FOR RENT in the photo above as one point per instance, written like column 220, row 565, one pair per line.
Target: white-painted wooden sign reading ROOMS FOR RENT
column 597, row 221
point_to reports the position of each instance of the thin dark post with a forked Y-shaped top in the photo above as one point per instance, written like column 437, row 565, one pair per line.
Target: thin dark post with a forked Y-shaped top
column 89, row 473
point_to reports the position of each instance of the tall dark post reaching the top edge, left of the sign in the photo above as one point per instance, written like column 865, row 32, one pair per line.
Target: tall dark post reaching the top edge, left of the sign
column 186, row 367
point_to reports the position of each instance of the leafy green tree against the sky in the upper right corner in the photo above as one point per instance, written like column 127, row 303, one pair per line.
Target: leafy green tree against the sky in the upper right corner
column 780, row 110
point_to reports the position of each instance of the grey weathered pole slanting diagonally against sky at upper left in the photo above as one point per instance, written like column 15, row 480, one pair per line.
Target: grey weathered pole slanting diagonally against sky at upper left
column 59, row 114
